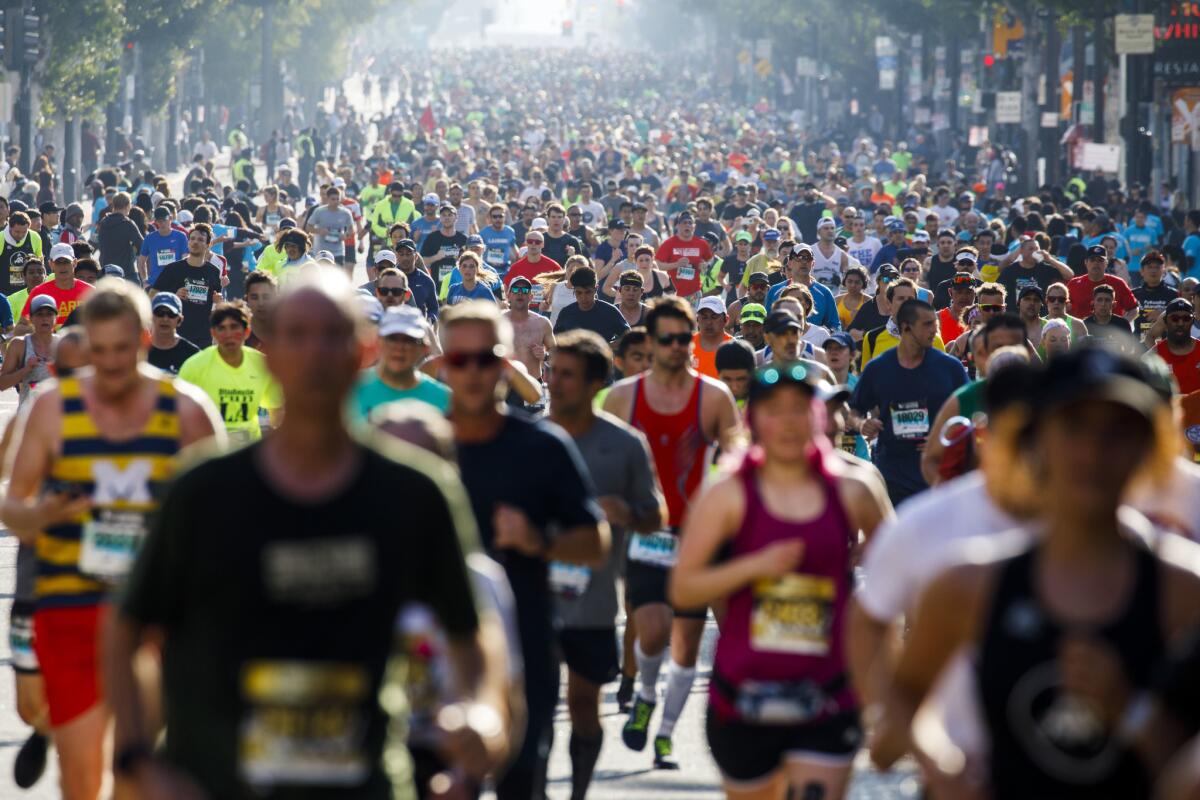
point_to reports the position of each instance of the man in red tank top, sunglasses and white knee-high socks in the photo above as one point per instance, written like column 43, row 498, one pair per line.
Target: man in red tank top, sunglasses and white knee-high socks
column 681, row 413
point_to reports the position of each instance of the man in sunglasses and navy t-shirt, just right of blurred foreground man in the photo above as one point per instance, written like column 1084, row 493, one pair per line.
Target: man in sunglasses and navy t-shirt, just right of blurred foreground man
column 545, row 512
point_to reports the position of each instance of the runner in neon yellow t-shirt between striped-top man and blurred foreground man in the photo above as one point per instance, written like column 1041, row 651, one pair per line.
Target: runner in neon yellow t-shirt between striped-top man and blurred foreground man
column 233, row 376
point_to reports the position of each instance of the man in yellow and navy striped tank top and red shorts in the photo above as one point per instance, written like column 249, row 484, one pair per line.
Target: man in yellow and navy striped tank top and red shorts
column 85, row 446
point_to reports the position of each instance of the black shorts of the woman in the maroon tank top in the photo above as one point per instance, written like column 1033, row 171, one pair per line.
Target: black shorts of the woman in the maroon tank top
column 751, row 753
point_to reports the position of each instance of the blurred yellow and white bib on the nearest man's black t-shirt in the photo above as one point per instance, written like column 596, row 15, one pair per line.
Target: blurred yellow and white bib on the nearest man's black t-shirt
column 305, row 724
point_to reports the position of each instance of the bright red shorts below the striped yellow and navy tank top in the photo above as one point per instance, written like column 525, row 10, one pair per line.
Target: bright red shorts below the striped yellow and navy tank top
column 68, row 645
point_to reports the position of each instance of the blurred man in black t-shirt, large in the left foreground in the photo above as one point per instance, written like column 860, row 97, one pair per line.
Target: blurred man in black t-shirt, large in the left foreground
column 302, row 717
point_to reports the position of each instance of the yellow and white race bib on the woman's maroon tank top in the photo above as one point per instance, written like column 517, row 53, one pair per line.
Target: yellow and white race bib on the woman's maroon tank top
column 793, row 615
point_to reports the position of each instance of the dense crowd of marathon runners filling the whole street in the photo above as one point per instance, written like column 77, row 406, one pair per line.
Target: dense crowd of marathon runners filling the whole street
column 321, row 478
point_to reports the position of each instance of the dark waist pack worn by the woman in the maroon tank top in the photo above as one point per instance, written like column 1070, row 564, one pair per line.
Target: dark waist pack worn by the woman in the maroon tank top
column 788, row 702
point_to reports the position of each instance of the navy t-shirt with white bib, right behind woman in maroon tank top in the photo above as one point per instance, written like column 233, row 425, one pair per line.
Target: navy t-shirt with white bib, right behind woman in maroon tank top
column 908, row 402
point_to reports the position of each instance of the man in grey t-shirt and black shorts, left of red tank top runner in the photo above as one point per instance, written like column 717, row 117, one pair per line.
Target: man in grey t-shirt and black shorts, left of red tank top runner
column 621, row 467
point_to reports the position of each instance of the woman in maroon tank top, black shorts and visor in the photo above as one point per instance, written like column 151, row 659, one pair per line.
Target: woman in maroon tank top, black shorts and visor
column 776, row 542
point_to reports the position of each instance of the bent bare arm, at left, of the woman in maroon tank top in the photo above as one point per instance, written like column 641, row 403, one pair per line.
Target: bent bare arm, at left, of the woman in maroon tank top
column 715, row 519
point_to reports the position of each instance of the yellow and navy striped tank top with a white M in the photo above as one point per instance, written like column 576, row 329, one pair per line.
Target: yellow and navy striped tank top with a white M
column 79, row 563
